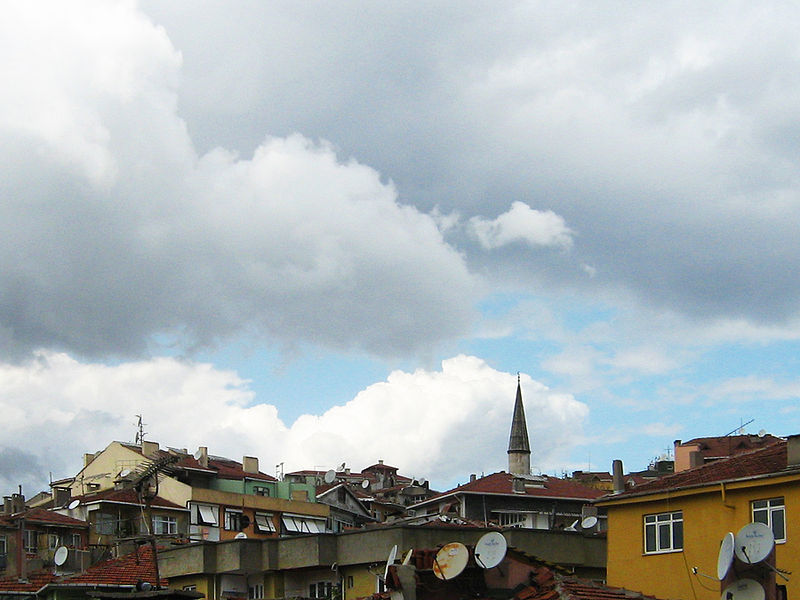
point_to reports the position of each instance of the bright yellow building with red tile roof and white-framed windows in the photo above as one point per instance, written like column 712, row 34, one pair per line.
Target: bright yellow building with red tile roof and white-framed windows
column 664, row 536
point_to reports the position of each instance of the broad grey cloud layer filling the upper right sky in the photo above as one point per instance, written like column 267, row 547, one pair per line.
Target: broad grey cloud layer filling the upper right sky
column 661, row 136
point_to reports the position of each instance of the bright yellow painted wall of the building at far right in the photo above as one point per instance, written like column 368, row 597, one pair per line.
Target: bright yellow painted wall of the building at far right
column 708, row 514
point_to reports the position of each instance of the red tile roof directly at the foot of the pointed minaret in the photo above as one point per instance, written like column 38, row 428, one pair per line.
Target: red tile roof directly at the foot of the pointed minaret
column 540, row 487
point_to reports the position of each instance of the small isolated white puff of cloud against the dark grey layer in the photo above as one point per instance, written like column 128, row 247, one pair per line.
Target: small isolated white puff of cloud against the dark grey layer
column 523, row 224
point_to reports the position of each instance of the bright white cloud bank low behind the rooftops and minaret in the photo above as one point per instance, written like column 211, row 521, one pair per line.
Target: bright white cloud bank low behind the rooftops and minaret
column 440, row 424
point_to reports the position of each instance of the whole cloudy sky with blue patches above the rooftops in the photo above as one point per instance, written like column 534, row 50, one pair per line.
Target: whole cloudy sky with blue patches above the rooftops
column 339, row 232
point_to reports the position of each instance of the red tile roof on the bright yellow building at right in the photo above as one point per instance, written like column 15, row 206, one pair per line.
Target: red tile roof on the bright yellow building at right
column 770, row 460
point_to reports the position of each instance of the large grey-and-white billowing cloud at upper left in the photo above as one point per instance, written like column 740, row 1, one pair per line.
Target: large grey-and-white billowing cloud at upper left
column 117, row 236
